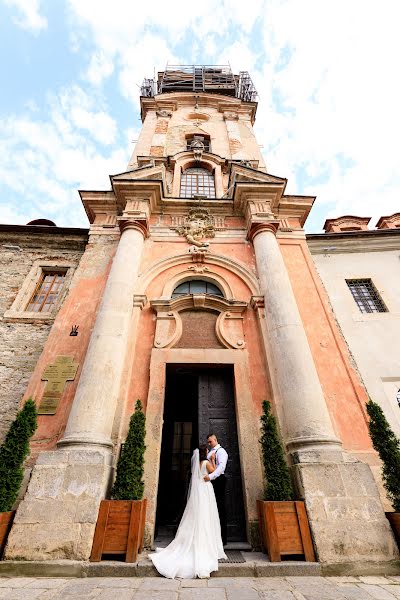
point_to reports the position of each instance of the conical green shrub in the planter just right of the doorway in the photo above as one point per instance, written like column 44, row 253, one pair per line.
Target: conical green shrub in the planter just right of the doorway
column 279, row 484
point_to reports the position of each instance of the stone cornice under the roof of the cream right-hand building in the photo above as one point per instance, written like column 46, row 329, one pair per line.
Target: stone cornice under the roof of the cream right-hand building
column 380, row 240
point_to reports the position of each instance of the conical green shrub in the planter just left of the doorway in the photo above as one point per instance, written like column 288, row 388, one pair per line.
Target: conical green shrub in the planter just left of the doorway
column 128, row 483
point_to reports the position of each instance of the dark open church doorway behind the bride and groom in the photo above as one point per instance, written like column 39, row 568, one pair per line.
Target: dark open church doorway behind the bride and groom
column 198, row 401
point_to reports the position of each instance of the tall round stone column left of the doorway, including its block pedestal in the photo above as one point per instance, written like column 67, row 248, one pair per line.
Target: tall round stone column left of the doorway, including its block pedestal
column 57, row 517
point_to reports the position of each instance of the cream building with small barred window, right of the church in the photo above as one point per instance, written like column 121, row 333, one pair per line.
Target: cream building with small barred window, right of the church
column 359, row 268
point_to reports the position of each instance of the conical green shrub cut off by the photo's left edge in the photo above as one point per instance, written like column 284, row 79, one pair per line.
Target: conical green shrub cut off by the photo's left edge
column 13, row 453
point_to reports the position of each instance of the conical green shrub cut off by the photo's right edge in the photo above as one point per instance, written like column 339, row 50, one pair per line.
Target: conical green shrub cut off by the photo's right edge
column 387, row 445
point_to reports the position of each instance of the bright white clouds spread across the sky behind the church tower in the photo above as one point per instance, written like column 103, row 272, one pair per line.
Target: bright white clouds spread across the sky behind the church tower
column 326, row 73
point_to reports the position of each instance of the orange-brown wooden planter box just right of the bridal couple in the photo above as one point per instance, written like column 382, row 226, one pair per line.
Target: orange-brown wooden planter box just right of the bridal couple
column 284, row 530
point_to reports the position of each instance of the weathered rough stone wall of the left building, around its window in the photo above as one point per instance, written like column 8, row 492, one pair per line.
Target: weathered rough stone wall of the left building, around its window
column 22, row 342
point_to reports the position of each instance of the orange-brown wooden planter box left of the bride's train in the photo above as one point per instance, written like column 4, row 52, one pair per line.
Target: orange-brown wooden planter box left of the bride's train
column 119, row 529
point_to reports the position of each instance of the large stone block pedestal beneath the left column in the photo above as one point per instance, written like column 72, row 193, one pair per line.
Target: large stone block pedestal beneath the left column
column 57, row 517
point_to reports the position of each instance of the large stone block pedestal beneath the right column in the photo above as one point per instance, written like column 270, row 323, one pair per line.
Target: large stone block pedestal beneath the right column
column 346, row 516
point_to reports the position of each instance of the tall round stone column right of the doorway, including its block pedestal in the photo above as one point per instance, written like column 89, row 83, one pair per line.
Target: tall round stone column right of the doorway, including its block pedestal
column 342, row 500
